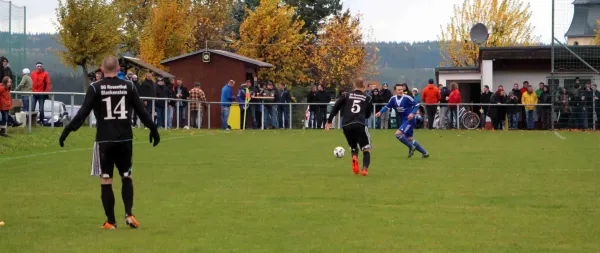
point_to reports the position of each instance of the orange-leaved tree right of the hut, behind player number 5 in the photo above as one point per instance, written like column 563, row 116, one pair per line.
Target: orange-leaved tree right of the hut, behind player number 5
column 341, row 55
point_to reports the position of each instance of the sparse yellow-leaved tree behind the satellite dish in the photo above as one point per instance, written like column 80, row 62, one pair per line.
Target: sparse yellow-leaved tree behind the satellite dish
column 508, row 22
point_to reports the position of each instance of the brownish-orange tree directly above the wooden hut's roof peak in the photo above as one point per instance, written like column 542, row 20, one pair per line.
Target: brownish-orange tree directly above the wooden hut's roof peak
column 212, row 18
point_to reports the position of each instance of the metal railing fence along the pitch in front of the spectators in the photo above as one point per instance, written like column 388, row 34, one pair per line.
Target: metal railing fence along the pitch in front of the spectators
column 300, row 116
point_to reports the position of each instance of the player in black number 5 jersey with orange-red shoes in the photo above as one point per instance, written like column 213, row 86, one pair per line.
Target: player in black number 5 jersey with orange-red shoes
column 357, row 107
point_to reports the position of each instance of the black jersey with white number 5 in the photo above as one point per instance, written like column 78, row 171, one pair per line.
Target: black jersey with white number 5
column 357, row 107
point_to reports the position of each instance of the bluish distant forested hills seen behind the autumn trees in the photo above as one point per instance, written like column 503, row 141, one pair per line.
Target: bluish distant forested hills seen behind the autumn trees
column 413, row 63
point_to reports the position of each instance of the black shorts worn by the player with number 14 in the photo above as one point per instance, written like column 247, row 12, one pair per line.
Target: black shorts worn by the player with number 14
column 107, row 155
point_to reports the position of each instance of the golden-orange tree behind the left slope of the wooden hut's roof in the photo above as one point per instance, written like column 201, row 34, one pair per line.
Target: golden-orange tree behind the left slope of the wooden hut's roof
column 167, row 31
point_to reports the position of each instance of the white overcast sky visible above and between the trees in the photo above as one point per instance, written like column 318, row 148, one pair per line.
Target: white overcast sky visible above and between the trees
column 391, row 20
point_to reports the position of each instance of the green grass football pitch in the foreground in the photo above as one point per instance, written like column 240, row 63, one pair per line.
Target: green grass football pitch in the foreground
column 283, row 191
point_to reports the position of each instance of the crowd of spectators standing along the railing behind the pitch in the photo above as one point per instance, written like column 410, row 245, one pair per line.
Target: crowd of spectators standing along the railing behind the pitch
column 268, row 105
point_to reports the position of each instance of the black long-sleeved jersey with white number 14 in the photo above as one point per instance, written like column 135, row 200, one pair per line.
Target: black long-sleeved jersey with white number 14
column 112, row 101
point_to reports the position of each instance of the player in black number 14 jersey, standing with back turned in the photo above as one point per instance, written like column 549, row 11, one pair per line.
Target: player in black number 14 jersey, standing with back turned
column 113, row 101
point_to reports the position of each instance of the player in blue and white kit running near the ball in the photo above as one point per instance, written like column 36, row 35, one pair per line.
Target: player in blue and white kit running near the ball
column 406, row 107
